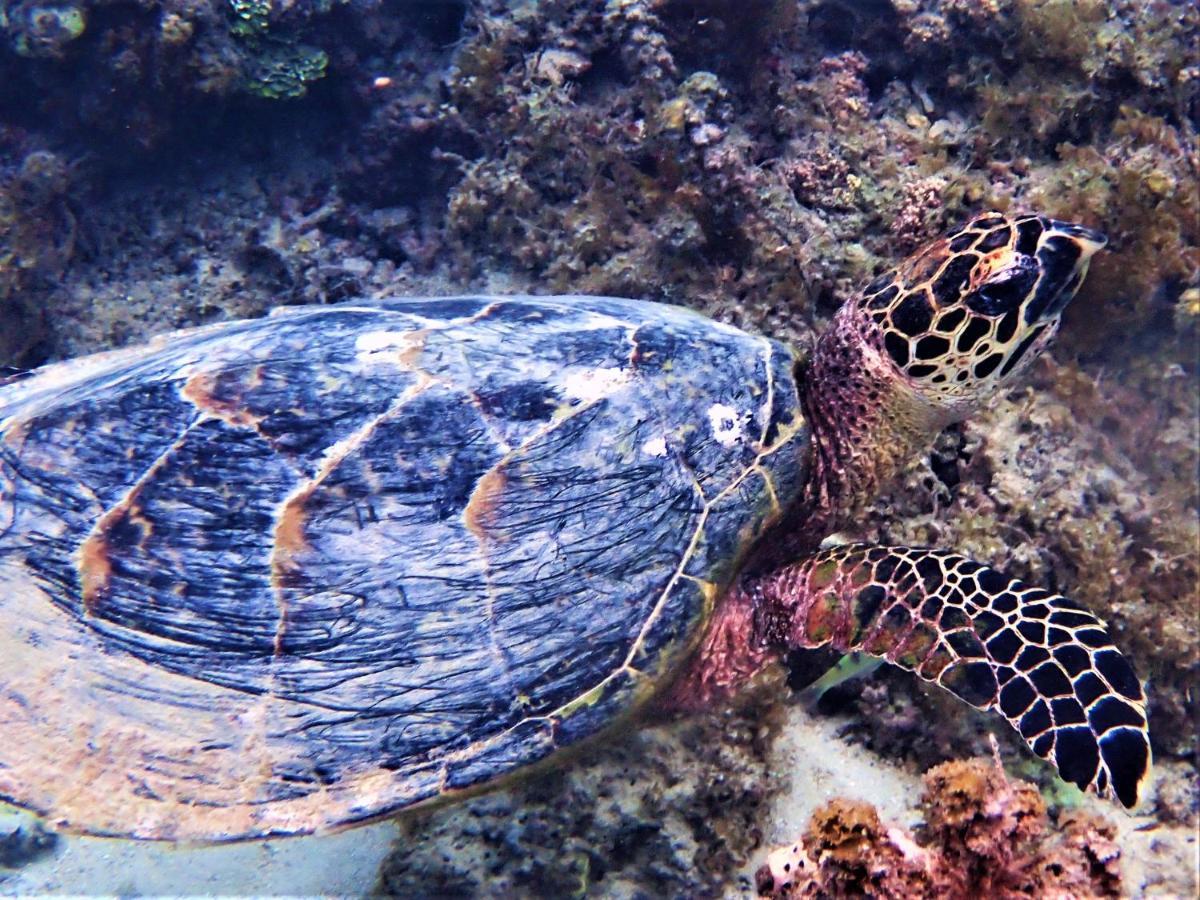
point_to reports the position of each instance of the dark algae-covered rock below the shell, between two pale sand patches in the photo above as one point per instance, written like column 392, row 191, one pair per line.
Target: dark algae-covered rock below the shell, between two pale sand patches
column 665, row 812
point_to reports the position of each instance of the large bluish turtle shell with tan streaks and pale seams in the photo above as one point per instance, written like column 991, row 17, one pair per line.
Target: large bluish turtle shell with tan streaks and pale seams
column 273, row 577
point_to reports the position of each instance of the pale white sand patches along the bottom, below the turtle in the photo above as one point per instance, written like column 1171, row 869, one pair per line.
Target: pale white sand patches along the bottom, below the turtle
column 807, row 759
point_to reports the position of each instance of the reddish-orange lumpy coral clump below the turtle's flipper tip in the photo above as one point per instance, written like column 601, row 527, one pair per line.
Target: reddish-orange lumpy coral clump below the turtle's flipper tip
column 983, row 836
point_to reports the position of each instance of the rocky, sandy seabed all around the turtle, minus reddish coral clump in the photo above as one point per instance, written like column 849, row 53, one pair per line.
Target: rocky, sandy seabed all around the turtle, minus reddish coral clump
column 681, row 153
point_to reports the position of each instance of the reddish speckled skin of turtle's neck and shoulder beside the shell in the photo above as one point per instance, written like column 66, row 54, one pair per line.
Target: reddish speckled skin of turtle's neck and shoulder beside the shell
column 867, row 425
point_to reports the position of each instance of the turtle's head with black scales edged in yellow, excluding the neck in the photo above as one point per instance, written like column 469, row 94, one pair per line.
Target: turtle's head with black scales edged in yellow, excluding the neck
column 964, row 315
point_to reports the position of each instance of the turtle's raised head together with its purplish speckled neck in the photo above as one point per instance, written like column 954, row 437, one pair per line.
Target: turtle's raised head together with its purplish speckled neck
column 928, row 343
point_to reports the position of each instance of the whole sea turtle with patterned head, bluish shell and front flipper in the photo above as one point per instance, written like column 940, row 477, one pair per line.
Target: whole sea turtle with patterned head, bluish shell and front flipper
column 273, row 577
